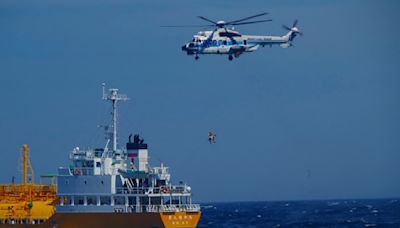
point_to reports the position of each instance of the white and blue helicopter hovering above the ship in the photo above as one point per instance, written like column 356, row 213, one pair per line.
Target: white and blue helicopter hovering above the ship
column 224, row 41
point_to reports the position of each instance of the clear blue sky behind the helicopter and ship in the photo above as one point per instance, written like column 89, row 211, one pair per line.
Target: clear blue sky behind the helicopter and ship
column 319, row 120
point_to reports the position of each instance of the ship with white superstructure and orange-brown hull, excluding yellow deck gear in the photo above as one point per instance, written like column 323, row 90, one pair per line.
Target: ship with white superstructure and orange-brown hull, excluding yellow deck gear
column 113, row 186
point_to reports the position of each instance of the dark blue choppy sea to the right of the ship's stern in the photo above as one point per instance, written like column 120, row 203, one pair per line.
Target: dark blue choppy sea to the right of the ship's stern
column 318, row 213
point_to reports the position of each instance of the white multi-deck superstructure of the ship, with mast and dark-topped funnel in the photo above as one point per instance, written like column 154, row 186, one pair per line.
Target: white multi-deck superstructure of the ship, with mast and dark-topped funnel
column 116, row 180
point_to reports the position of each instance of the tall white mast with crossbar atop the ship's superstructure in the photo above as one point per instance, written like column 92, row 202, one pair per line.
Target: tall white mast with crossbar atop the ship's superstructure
column 114, row 97
